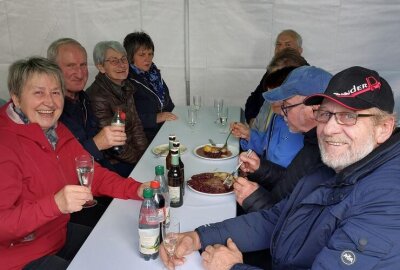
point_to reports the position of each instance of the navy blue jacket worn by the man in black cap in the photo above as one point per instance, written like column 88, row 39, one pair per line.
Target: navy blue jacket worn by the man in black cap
column 348, row 220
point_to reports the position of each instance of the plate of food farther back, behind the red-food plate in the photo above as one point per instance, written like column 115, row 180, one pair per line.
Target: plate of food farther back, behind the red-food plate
column 210, row 152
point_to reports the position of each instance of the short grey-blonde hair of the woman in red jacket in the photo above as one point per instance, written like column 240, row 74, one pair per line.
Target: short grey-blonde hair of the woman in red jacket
column 22, row 70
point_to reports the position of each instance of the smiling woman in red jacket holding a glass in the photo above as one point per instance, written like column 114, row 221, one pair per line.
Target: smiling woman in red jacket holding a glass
column 39, row 187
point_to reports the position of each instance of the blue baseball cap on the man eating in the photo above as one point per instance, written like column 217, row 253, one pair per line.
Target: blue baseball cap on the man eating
column 302, row 81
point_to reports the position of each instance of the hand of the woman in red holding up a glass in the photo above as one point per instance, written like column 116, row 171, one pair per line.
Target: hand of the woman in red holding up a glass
column 71, row 198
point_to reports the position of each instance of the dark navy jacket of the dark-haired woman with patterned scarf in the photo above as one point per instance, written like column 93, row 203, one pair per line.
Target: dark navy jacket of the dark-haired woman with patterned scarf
column 148, row 104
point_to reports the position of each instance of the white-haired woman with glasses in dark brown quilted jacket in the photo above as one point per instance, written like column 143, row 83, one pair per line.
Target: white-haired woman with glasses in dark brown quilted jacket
column 111, row 91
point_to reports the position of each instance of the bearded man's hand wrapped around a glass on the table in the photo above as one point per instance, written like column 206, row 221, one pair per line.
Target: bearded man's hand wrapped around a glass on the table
column 187, row 243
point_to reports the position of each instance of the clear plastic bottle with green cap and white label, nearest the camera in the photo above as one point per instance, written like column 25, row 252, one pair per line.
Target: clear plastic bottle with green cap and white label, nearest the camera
column 149, row 227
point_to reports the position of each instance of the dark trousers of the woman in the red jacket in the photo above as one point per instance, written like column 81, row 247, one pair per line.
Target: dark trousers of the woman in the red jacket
column 76, row 236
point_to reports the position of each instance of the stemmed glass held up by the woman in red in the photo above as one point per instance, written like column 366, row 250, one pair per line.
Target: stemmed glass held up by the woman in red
column 84, row 165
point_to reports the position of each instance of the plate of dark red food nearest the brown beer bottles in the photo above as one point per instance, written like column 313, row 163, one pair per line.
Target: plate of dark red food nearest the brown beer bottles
column 209, row 184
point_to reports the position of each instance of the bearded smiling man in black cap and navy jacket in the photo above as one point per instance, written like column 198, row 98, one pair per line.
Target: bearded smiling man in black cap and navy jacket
column 342, row 216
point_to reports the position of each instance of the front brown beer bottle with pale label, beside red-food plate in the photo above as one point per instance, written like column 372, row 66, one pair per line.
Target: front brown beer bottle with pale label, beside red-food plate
column 175, row 181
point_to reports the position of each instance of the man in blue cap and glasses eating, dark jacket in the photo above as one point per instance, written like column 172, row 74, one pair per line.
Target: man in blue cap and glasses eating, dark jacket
column 267, row 183
